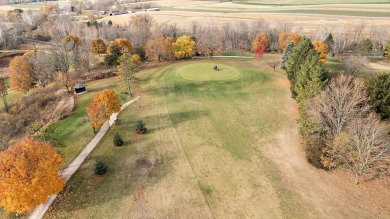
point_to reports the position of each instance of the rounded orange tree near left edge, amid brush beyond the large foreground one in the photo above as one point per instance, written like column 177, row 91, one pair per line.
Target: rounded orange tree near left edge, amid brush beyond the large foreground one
column 19, row 74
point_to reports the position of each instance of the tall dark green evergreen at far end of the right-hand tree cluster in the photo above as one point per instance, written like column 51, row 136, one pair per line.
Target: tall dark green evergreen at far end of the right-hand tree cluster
column 295, row 62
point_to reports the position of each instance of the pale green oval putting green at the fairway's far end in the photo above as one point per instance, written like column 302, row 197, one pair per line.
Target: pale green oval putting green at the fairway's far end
column 206, row 72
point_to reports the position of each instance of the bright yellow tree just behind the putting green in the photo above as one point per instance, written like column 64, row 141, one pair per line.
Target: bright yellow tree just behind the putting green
column 184, row 47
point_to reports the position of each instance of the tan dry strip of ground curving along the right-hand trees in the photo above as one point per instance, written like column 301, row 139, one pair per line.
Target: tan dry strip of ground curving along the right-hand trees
column 334, row 195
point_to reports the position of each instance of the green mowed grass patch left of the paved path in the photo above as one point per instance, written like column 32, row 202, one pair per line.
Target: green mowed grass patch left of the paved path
column 75, row 130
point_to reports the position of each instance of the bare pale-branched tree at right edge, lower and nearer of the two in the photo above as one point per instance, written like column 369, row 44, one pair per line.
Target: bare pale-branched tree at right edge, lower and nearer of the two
column 367, row 151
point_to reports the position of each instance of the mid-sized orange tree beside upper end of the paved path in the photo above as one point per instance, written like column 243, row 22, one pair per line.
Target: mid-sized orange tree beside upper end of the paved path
column 103, row 105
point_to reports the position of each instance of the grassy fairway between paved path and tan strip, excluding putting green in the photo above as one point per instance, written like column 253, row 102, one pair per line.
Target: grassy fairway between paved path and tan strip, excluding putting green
column 205, row 148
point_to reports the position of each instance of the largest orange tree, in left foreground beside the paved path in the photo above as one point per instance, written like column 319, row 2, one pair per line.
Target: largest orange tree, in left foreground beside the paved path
column 29, row 174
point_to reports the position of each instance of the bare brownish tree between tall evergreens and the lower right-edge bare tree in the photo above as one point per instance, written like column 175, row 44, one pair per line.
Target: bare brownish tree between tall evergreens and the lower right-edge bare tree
column 343, row 100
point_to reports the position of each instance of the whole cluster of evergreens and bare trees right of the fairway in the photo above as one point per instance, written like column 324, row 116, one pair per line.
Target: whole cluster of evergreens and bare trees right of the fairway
column 338, row 122
